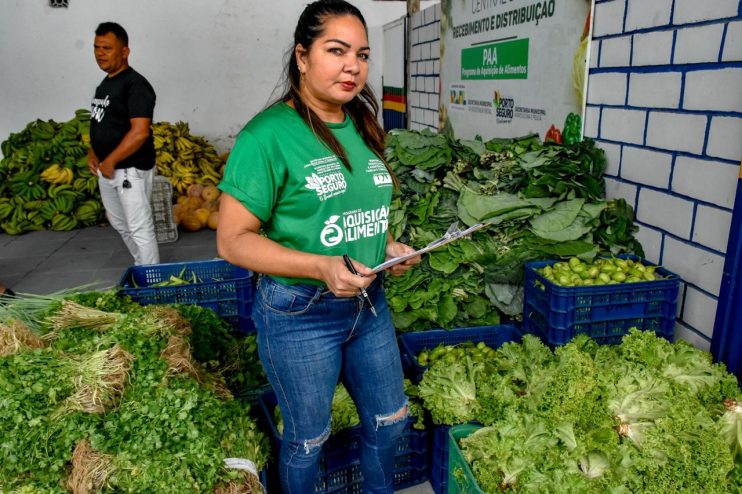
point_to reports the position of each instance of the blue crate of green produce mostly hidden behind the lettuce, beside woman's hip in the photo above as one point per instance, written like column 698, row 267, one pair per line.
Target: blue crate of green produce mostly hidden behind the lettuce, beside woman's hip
column 411, row 344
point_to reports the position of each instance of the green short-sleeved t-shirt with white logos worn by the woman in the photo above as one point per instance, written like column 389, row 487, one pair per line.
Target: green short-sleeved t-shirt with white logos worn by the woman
column 302, row 193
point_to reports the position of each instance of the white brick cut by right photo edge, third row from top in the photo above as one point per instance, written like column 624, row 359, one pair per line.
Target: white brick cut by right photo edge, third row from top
column 719, row 90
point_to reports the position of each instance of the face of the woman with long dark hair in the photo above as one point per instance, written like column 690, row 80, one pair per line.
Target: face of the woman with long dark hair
column 336, row 67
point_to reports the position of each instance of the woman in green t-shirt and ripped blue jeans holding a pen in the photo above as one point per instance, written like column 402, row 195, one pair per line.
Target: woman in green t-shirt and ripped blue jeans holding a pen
column 309, row 172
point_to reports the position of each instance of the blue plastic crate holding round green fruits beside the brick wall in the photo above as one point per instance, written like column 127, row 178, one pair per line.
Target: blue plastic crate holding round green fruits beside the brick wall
column 603, row 312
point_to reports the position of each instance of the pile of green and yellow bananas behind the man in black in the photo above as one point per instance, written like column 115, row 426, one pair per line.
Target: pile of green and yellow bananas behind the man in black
column 45, row 183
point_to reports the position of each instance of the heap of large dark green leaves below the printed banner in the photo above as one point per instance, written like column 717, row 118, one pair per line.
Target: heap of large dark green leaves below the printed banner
column 541, row 200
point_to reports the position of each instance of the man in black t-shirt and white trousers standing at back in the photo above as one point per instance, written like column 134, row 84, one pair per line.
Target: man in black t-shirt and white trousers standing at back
column 122, row 152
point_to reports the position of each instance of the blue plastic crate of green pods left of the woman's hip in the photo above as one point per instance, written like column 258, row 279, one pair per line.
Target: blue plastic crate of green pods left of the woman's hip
column 223, row 287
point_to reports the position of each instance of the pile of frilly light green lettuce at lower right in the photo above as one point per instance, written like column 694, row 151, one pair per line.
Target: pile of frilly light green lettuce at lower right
column 643, row 416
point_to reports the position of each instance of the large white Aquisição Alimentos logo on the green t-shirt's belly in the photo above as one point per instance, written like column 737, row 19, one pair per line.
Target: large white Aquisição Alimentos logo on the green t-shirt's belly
column 355, row 225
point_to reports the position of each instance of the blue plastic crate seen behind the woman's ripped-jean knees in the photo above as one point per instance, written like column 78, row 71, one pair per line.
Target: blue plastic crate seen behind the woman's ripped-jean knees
column 340, row 470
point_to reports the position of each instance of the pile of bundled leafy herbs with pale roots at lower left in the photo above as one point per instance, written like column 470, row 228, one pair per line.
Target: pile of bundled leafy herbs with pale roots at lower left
column 99, row 393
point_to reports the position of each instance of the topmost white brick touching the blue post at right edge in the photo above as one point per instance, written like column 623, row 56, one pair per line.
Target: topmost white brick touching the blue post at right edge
column 707, row 180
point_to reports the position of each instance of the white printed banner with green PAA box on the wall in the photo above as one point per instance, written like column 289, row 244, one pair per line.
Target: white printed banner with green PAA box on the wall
column 512, row 67
